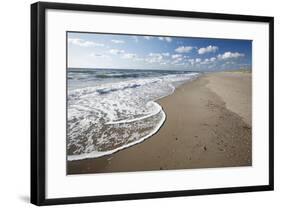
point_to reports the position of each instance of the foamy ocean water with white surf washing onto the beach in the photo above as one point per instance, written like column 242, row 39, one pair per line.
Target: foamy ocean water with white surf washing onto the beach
column 112, row 109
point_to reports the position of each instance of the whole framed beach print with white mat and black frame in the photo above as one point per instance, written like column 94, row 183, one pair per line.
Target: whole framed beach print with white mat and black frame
column 131, row 103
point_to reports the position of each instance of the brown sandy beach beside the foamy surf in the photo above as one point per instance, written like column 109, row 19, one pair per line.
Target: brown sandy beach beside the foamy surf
column 208, row 125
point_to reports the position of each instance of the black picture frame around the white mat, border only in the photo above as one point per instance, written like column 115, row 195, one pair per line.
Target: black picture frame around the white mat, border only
column 38, row 102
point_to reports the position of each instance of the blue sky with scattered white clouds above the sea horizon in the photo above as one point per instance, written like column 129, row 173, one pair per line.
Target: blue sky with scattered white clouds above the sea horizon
column 93, row 50
